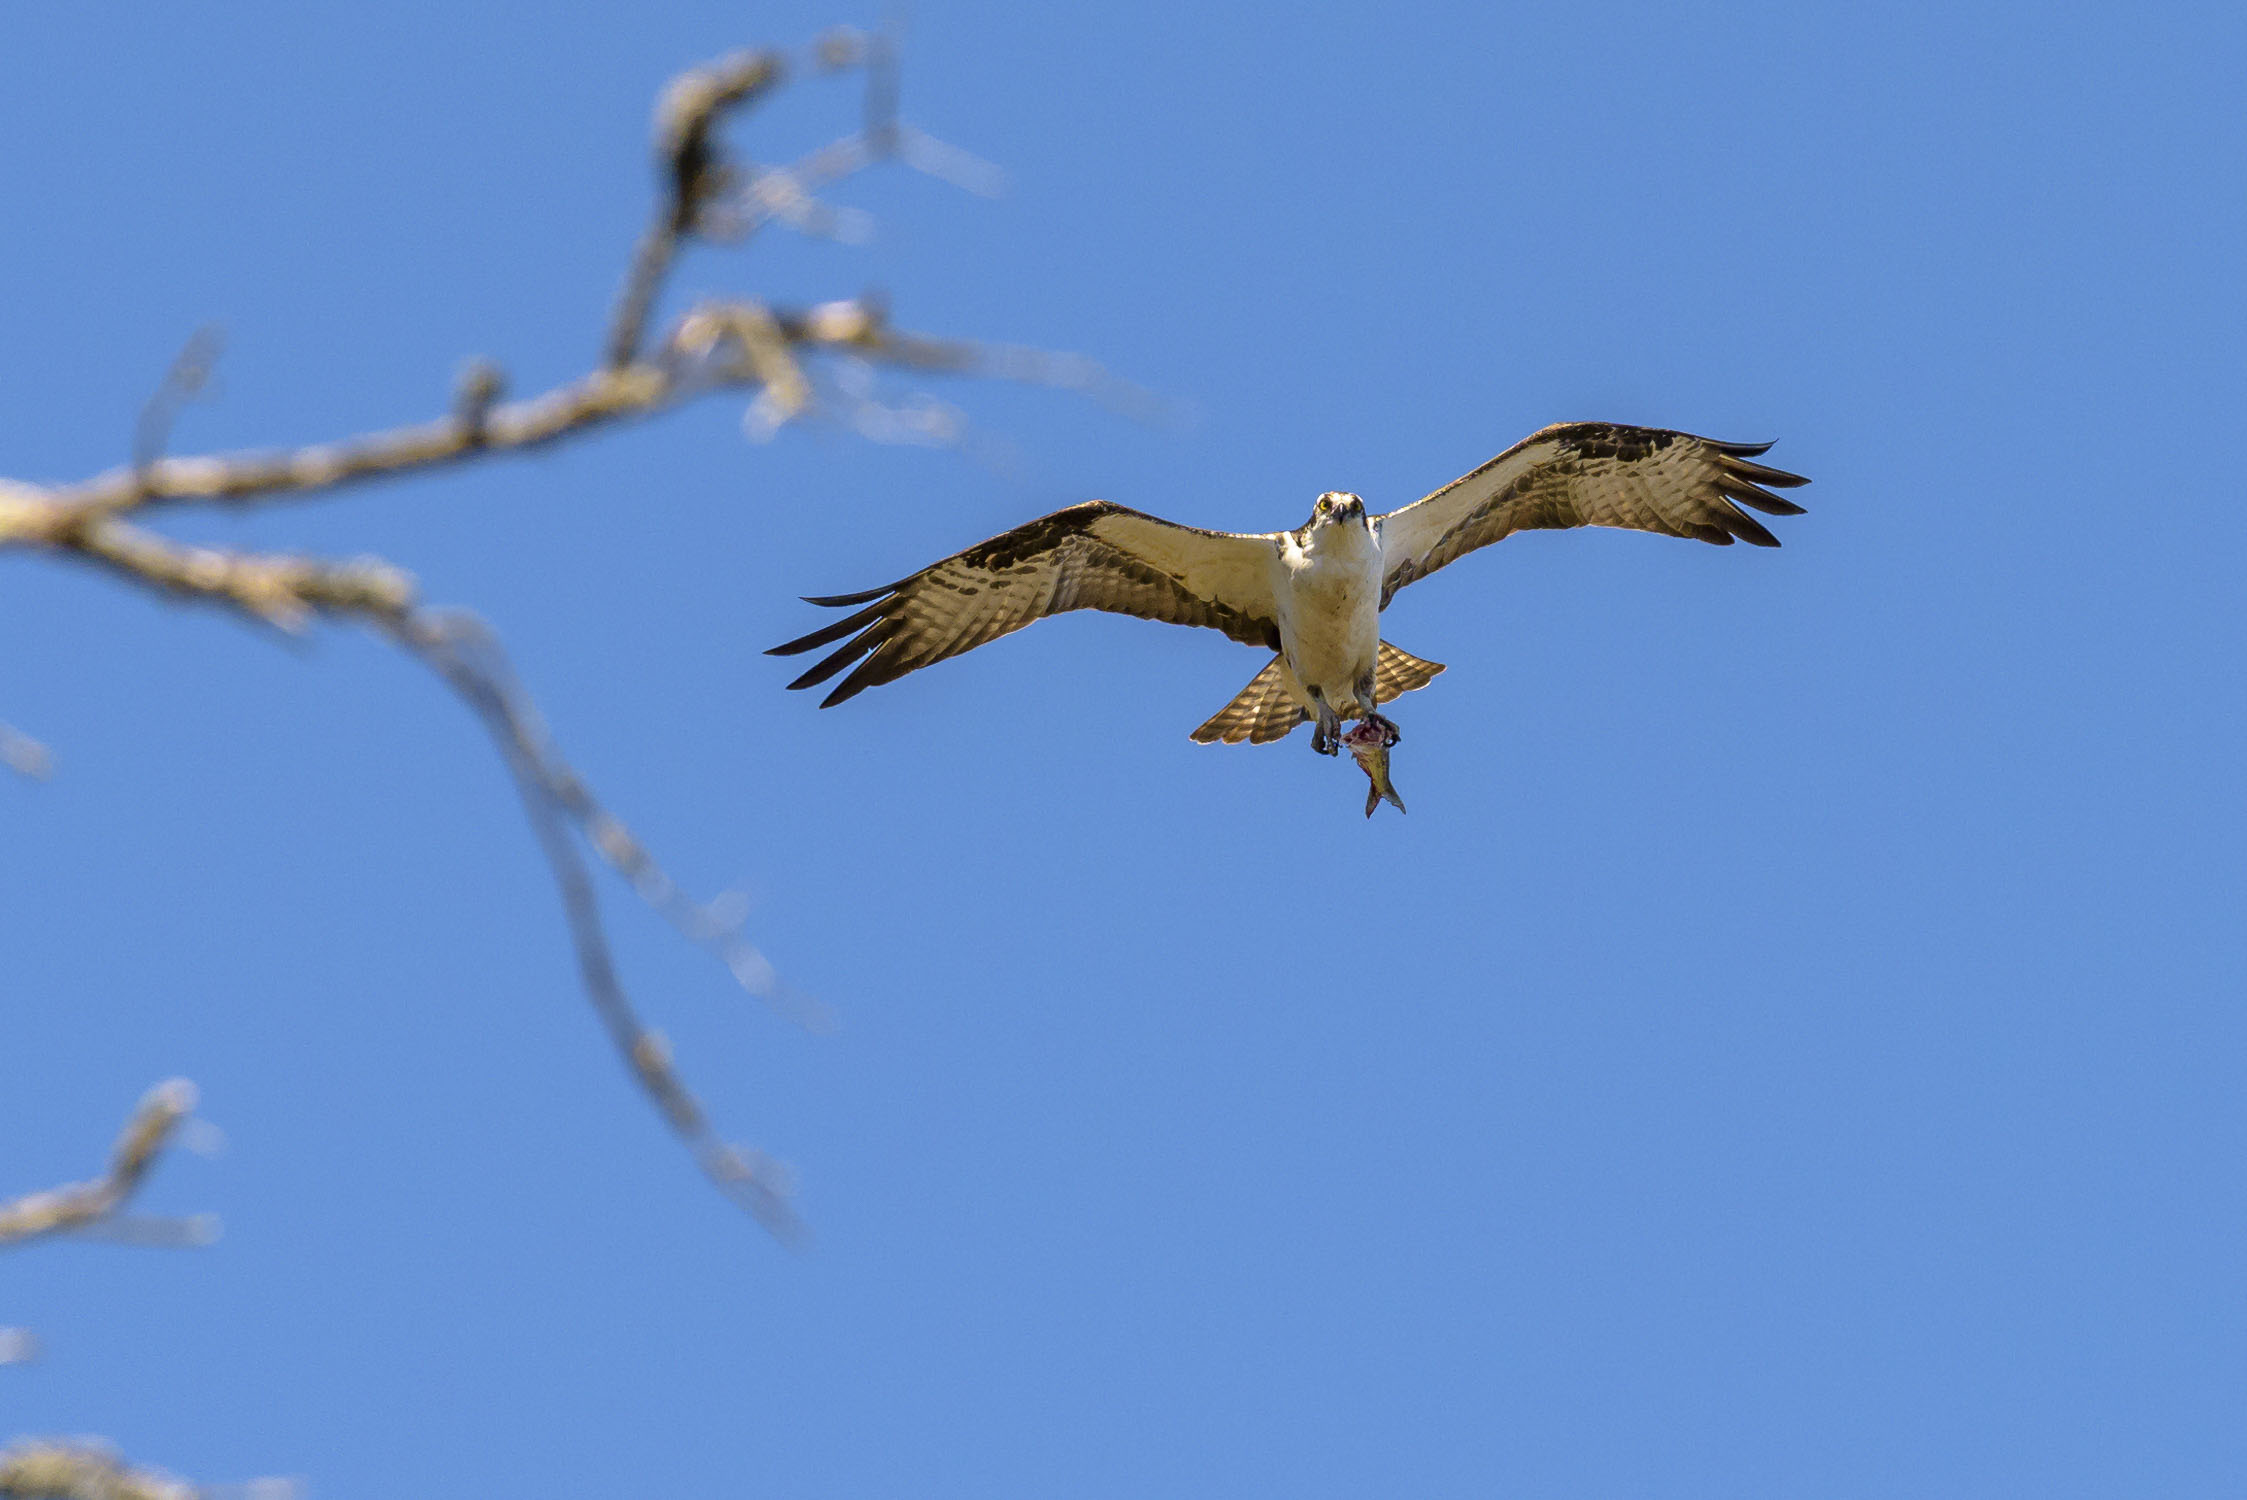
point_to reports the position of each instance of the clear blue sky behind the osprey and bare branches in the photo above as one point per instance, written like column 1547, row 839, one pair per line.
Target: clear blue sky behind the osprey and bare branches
column 1792, row 1048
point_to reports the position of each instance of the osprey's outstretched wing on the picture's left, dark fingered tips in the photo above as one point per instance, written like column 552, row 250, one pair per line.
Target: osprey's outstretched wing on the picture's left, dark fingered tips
column 1091, row 556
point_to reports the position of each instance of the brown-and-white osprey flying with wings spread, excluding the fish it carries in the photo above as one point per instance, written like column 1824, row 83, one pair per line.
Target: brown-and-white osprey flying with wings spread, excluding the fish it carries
column 1311, row 596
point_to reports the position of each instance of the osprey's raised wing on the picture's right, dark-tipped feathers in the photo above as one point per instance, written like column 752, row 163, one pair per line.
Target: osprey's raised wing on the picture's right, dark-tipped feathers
column 1590, row 475
